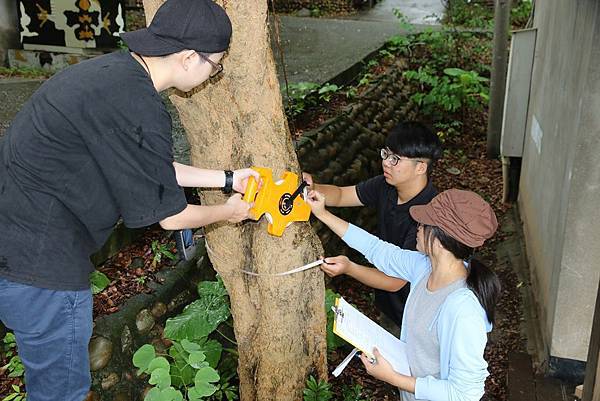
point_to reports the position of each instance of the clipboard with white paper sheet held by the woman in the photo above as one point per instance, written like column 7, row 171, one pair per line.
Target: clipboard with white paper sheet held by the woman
column 364, row 334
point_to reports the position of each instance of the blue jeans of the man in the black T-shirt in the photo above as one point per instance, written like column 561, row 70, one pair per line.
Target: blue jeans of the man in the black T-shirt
column 53, row 329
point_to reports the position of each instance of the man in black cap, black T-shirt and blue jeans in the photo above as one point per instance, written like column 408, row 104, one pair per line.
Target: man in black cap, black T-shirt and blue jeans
column 91, row 146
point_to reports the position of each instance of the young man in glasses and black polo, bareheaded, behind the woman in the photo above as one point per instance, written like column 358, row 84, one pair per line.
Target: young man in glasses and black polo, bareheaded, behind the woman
column 407, row 160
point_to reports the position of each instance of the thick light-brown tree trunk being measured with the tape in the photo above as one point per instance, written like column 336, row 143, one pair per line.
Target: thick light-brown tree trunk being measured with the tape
column 239, row 122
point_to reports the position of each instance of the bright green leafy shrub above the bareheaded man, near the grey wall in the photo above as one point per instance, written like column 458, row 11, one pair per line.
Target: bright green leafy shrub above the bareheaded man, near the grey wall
column 455, row 90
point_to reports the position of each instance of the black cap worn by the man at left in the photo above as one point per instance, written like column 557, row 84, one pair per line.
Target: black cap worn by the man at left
column 178, row 25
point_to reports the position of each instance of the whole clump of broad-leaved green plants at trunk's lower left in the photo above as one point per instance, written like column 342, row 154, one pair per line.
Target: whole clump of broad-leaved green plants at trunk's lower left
column 193, row 367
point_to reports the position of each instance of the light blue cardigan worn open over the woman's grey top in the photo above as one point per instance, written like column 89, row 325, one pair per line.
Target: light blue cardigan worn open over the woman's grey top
column 461, row 322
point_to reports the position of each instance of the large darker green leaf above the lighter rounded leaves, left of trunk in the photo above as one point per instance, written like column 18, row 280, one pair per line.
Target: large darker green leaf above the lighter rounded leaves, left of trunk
column 203, row 316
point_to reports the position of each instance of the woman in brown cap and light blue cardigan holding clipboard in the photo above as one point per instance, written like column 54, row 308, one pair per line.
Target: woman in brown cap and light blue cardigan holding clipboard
column 450, row 308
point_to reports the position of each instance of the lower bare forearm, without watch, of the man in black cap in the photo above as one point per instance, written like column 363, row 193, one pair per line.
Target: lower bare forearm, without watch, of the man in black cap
column 194, row 216
